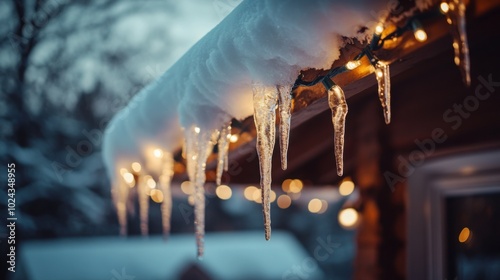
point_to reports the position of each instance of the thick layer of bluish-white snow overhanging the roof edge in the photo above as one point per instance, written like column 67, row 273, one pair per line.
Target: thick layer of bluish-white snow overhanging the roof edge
column 260, row 41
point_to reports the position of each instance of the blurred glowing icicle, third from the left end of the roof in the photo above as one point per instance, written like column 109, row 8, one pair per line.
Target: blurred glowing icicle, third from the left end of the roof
column 165, row 179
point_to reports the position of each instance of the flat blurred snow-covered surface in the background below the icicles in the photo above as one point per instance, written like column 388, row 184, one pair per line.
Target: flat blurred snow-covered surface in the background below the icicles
column 229, row 256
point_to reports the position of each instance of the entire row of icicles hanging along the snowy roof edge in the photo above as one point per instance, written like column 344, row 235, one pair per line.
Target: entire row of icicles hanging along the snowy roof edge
column 266, row 100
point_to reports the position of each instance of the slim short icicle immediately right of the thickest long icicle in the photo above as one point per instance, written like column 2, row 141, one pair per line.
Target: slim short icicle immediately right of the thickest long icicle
column 285, row 106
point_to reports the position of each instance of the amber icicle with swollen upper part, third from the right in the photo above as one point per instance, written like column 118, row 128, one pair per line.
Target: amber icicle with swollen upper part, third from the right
column 338, row 105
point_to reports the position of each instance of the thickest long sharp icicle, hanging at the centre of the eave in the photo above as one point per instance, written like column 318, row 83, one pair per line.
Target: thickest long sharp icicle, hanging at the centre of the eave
column 265, row 100
